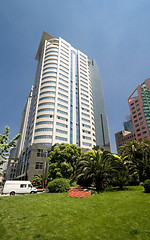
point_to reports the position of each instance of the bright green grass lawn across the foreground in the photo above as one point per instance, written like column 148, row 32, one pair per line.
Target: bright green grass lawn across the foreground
column 115, row 215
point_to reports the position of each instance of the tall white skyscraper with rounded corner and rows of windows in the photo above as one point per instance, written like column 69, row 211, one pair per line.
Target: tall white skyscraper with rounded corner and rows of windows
column 61, row 108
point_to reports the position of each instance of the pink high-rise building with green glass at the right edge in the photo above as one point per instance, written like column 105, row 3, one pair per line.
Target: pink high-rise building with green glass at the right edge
column 139, row 104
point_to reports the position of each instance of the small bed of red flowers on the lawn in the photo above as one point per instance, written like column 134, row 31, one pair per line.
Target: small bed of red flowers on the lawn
column 78, row 193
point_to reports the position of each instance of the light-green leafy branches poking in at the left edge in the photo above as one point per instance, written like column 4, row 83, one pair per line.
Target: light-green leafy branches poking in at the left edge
column 5, row 145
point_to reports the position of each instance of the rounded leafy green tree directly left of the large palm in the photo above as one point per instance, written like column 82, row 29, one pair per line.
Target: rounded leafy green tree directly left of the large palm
column 63, row 160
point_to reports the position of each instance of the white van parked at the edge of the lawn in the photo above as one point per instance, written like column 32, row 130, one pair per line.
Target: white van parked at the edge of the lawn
column 18, row 187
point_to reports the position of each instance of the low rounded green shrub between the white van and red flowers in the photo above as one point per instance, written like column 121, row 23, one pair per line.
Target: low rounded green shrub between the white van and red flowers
column 58, row 185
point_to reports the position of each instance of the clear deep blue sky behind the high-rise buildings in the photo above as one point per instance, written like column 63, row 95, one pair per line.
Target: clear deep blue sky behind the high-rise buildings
column 115, row 33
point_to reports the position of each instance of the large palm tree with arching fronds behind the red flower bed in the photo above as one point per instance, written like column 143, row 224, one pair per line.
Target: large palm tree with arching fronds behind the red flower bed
column 96, row 166
